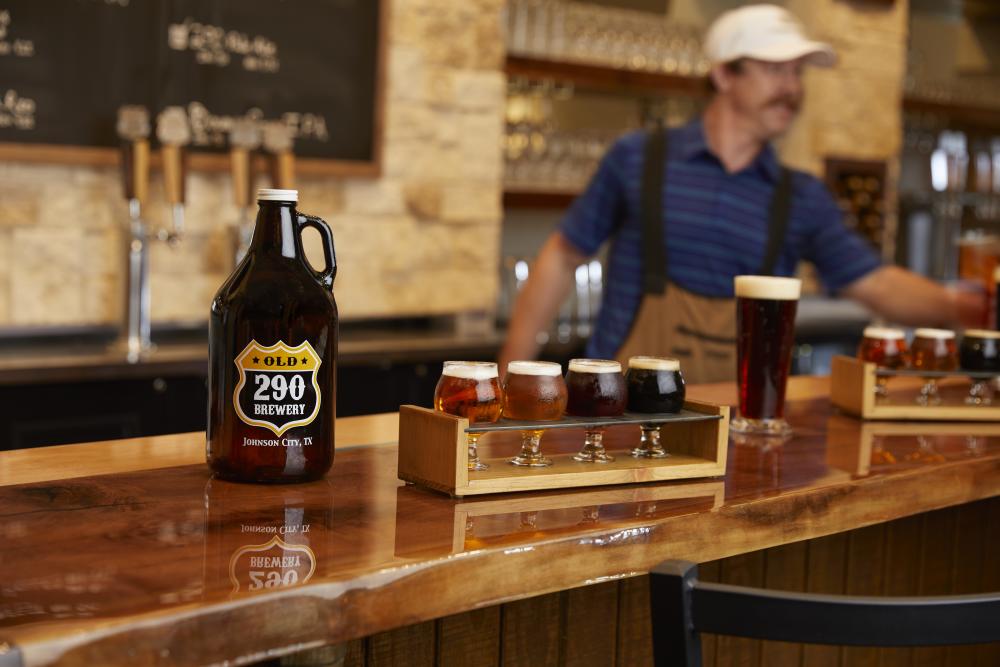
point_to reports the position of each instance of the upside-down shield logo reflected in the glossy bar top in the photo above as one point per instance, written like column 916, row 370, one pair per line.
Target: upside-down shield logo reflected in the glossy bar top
column 275, row 564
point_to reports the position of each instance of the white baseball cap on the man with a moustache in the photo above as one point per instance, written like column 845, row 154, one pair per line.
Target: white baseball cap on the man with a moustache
column 763, row 32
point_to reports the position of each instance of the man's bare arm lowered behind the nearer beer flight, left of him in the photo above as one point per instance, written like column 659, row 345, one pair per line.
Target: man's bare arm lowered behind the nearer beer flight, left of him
column 549, row 282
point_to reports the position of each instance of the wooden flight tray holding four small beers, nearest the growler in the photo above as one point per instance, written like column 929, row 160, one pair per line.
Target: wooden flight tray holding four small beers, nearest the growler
column 433, row 450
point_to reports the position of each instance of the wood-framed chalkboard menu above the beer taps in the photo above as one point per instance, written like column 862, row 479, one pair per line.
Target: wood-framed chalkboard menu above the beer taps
column 66, row 66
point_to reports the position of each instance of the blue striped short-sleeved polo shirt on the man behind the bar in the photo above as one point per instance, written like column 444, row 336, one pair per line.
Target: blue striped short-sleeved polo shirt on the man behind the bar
column 718, row 226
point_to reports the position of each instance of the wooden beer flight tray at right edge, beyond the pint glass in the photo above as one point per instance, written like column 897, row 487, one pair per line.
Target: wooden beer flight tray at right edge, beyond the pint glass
column 852, row 389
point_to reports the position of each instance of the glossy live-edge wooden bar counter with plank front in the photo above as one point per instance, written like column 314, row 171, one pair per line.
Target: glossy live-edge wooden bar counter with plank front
column 128, row 553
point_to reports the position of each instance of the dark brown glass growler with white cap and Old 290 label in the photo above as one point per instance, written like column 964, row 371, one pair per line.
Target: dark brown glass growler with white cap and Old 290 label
column 273, row 354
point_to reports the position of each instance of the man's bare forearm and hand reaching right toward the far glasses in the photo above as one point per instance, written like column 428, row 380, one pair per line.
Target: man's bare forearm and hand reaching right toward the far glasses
column 909, row 299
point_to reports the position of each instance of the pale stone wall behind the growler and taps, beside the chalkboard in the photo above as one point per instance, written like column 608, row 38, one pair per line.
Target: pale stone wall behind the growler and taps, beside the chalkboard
column 421, row 239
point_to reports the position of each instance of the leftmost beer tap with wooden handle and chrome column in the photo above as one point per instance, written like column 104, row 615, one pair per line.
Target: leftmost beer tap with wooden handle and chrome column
column 133, row 129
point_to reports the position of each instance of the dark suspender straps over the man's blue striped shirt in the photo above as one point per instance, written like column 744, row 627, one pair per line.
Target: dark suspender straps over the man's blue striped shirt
column 654, row 261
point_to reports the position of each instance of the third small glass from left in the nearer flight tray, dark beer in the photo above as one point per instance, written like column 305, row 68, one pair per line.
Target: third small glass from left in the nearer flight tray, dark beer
column 596, row 389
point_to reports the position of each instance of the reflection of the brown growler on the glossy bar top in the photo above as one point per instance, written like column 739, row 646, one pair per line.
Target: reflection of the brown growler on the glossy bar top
column 263, row 540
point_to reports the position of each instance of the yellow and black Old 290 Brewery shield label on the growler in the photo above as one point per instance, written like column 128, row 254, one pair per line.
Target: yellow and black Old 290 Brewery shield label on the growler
column 277, row 389
